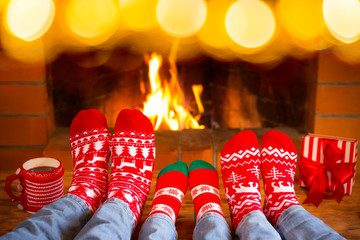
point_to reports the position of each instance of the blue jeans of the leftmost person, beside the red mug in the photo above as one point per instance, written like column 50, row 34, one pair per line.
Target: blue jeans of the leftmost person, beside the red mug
column 70, row 218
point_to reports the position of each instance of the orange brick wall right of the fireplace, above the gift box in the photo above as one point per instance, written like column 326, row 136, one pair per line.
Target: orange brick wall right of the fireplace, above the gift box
column 337, row 107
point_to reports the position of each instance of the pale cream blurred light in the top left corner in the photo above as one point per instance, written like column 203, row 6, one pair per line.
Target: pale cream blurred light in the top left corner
column 29, row 20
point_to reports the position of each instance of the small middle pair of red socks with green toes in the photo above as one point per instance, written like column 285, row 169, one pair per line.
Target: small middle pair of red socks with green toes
column 173, row 182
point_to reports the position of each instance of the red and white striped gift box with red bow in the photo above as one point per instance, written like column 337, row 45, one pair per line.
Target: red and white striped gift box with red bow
column 327, row 164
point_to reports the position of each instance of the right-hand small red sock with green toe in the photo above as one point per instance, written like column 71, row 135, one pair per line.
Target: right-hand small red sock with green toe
column 204, row 187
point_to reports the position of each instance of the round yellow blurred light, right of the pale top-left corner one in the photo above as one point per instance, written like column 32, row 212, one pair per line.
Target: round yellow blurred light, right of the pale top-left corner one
column 93, row 20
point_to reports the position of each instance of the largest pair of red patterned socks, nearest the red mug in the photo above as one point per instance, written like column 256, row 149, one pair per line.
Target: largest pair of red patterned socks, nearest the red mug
column 133, row 152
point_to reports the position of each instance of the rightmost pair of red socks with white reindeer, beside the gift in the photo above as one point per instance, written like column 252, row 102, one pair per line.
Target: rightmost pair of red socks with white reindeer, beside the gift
column 241, row 164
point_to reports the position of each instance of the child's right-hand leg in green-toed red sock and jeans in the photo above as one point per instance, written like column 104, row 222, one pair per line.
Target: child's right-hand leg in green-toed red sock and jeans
column 204, row 186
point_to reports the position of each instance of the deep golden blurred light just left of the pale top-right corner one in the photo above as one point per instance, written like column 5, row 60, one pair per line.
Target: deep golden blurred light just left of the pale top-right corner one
column 302, row 19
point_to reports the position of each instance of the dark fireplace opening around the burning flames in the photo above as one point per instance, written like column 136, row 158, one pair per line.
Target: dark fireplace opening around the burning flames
column 234, row 94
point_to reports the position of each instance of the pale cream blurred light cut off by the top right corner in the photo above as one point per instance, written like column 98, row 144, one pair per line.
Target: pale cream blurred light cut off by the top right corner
column 342, row 18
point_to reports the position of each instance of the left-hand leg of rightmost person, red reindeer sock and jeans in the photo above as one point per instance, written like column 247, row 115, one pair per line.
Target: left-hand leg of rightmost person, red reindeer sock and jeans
column 240, row 167
